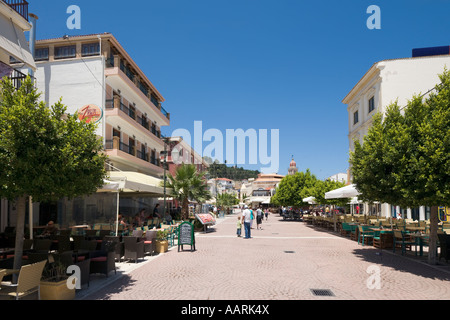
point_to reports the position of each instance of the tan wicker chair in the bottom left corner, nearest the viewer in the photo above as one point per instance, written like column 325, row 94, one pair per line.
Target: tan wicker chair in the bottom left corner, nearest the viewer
column 28, row 282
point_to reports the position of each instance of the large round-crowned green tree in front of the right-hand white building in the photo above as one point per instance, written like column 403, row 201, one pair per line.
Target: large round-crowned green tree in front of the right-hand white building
column 405, row 157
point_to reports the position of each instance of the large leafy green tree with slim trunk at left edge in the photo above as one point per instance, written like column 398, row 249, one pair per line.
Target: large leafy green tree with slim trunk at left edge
column 45, row 153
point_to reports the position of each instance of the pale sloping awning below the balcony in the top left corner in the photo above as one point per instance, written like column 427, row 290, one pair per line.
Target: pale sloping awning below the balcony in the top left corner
column 12, row 40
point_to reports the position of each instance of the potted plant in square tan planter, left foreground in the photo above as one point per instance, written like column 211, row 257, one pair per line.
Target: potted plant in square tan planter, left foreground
column 53, row 284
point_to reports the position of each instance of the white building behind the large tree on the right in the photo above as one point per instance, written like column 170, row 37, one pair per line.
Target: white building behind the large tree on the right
column 385, row 82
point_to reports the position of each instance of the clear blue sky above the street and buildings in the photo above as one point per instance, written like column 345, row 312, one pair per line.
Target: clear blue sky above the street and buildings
column 259, row 64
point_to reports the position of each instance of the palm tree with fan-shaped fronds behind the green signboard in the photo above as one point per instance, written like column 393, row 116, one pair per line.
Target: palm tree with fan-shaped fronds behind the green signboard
column 188, row 184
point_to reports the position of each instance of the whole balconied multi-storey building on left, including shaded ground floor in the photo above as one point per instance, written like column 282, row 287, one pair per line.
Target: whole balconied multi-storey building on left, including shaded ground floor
column 97, row 78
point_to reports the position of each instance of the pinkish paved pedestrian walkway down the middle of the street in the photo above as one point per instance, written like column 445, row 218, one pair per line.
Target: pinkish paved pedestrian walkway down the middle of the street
column 284, row 261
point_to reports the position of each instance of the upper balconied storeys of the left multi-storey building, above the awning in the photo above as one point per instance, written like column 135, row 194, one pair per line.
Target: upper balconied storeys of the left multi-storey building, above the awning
column 94, row 73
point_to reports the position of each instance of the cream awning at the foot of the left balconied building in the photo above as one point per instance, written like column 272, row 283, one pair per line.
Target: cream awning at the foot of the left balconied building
column 133, row 182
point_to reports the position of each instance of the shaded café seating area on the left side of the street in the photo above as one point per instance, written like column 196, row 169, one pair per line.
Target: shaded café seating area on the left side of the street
column 94, row 250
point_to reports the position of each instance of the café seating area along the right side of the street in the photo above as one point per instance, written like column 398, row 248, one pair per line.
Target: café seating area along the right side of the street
column 399, row 235
